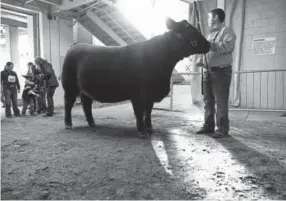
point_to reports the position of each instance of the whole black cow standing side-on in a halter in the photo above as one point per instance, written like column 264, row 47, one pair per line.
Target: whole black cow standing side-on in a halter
column 139, row 72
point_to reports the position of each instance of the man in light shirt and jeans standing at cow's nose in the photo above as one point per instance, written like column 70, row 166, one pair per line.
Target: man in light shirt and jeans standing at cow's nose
column 217, row 74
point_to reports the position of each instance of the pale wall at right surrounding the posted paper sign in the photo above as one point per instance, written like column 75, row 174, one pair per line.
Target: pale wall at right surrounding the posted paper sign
column 264, row 18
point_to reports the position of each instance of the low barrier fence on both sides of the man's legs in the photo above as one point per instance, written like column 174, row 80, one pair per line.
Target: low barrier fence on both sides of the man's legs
column 261, row 90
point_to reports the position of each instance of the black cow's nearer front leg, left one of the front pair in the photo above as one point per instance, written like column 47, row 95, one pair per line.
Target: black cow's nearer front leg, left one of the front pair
column 139, row 109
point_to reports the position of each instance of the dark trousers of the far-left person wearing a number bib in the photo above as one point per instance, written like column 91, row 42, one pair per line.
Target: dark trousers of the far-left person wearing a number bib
column 10, row 93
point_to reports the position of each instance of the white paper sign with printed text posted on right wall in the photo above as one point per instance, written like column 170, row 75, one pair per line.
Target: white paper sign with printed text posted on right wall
column 263, row 46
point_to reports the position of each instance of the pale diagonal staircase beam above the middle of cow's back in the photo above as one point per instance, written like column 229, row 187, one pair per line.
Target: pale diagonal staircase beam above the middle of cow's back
column 104, row 27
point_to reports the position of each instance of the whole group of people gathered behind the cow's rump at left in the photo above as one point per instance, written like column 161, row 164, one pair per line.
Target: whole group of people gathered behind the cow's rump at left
column 40, row 84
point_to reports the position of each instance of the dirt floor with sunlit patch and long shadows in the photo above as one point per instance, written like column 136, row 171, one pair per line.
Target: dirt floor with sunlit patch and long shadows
column 42, row 160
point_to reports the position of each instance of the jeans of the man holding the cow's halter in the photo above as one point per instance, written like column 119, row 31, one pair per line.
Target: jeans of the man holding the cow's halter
column 216, row 86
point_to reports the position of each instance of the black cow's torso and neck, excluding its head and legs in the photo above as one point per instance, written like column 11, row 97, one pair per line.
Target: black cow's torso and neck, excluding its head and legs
column 111, row 74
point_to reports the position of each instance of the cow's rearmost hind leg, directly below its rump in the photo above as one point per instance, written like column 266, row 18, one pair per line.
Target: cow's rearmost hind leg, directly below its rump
column 69, row 102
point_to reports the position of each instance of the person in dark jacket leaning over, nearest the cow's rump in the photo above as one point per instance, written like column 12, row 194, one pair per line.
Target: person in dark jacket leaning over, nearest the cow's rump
column 51, row 83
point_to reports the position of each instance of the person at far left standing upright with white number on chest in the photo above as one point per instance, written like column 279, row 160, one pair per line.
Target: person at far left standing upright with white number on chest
column 11, row 87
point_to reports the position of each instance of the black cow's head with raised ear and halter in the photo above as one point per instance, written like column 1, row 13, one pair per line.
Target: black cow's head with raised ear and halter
column 190, row 39
